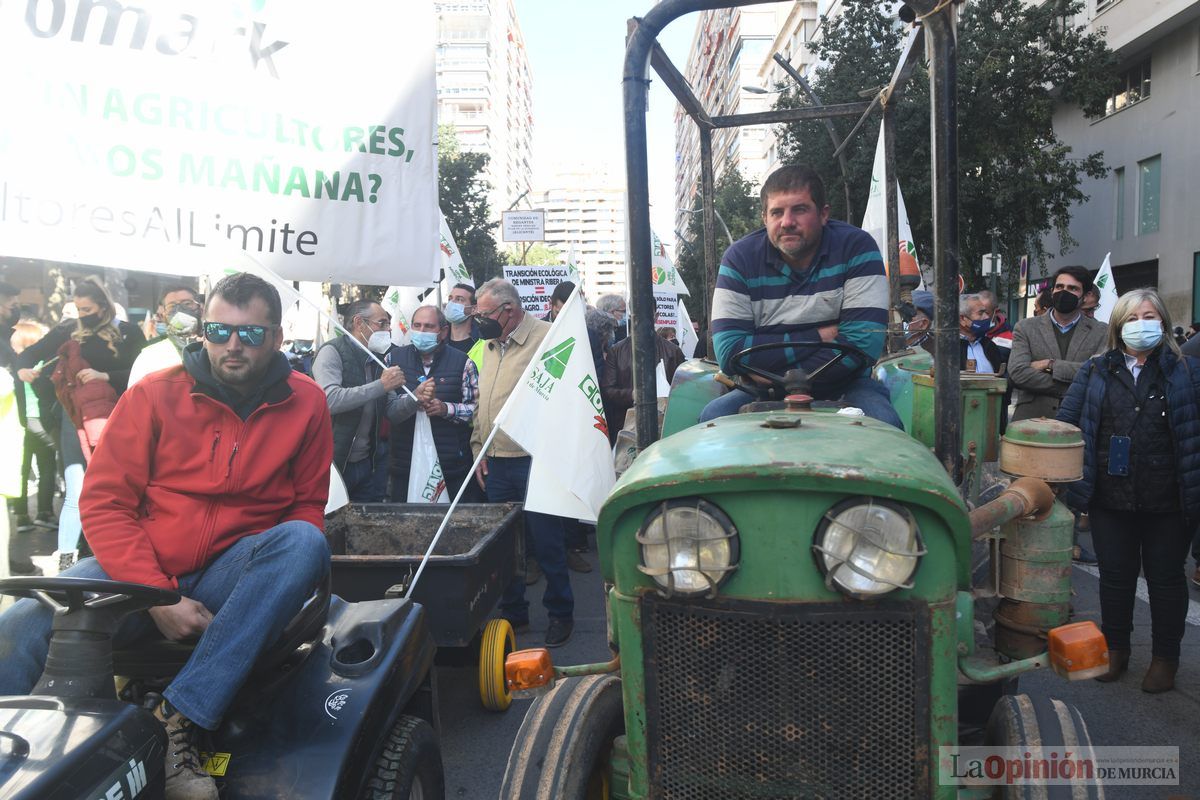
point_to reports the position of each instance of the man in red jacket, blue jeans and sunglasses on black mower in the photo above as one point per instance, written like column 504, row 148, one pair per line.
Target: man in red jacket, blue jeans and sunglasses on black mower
column 211, row 479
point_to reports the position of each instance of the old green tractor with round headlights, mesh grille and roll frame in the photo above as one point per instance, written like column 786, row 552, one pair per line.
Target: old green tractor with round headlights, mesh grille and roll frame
column 793, row 592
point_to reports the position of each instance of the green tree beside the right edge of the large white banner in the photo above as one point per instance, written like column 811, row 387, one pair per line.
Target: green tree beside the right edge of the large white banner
column 463, row 195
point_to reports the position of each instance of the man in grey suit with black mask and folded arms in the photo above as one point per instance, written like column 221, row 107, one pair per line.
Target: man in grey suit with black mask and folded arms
column 1049, row 350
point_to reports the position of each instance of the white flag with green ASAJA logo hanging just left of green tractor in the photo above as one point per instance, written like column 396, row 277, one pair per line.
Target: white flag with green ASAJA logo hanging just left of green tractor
column 556, row 416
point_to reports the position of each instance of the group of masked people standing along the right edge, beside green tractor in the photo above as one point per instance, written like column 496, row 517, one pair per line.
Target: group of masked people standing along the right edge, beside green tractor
column 1133, row 389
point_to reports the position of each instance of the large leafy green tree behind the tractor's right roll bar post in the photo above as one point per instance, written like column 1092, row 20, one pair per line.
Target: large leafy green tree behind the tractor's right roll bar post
column 1017, row 63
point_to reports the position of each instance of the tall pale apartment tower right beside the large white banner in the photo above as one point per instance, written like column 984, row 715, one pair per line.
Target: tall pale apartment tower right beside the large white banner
column 485, row 91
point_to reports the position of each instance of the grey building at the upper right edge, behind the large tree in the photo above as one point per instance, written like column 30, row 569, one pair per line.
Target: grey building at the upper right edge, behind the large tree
column 1145, row 212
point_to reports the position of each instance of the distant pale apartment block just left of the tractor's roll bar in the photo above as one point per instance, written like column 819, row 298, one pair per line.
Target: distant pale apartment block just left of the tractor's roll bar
column 586, row 220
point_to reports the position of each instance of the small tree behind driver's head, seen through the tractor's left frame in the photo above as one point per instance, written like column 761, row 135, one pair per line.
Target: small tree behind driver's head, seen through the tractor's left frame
column 740, row 208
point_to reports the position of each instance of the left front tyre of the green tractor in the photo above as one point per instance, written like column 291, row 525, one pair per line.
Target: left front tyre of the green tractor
column 566, row 742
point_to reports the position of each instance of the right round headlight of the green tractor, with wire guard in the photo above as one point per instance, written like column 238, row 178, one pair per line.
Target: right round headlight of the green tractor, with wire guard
column 868, row 548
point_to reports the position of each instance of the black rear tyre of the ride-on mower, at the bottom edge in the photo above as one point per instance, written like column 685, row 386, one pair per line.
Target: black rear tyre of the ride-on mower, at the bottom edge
column 410, row 768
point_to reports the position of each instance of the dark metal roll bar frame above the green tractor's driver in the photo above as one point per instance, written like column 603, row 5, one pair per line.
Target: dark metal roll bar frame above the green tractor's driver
column 643, row 49
